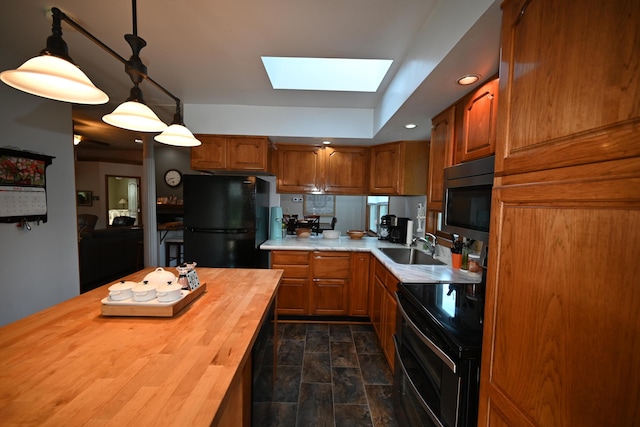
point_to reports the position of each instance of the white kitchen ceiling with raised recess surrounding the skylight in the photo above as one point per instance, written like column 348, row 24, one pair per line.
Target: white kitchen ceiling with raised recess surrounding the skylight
column 207, row 53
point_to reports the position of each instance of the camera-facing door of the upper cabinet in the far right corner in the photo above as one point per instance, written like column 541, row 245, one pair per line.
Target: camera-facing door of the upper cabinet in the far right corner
column 384, row 169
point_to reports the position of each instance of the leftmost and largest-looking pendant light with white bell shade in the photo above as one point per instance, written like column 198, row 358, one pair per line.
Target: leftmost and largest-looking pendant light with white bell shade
column 53, row 74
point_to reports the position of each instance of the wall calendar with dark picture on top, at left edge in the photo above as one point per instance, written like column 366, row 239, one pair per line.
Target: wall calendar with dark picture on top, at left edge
column 23, row 193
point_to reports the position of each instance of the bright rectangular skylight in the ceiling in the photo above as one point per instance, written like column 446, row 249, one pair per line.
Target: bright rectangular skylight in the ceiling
column 328, row 74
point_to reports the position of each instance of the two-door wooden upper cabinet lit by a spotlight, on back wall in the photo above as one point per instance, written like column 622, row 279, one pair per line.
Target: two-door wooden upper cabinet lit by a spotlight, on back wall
column 327, row 170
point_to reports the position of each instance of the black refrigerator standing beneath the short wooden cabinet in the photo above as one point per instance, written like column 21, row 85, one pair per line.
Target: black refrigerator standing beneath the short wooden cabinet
column 226, row 219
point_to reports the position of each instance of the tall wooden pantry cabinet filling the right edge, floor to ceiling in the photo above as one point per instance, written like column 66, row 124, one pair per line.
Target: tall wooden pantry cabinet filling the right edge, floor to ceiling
column 560, row 346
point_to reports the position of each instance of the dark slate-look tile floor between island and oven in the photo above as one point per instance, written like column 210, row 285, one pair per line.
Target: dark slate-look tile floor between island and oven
column 327, row 375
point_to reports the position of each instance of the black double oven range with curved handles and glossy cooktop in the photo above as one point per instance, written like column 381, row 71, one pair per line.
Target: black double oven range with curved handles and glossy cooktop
column 438, row 345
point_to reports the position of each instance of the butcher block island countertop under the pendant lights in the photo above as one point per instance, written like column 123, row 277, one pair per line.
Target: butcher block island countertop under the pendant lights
column 68, row 365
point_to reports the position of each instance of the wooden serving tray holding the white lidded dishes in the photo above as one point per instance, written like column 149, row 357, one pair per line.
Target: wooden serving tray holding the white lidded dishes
column 152, row 308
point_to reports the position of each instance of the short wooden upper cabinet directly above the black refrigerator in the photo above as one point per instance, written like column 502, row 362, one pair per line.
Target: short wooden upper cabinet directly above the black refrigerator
column 230, row 152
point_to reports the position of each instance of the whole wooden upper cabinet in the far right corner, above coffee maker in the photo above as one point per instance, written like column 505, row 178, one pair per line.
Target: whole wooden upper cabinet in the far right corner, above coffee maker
column 399, row 168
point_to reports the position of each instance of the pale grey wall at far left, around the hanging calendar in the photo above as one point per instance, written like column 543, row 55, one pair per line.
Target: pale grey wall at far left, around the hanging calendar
column 39, row 267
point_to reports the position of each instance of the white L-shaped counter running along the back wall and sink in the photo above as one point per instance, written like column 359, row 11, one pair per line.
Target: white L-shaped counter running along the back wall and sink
column 405, row 273
